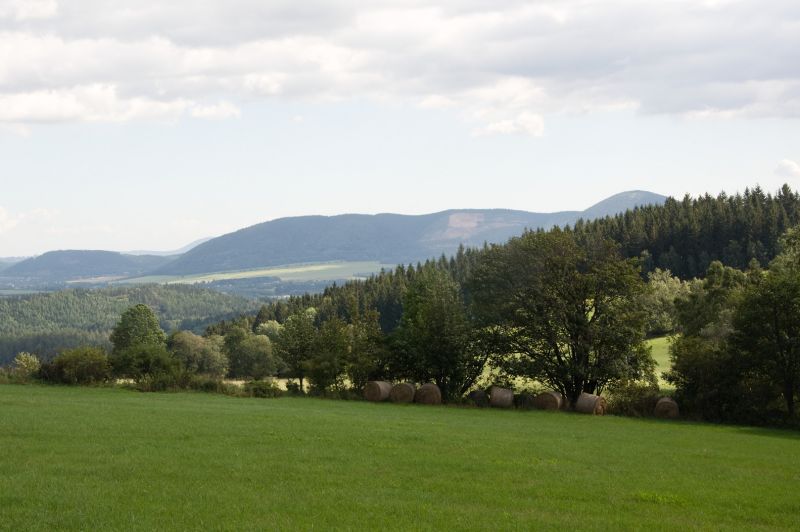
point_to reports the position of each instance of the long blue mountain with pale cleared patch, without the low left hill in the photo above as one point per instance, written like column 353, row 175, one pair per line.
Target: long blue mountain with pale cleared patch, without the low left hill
column 387, row 238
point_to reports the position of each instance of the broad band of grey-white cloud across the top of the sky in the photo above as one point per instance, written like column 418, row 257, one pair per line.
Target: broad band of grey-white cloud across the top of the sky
column 503, row 65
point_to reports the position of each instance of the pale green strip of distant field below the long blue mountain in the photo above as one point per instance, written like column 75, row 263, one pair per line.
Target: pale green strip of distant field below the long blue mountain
column 327, row 271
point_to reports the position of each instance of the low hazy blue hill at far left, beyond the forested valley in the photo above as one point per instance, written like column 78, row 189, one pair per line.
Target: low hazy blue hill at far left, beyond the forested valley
column 56, row 266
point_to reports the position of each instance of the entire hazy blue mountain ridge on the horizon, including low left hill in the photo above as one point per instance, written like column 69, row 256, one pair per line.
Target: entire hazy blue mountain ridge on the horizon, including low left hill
column 386, row 238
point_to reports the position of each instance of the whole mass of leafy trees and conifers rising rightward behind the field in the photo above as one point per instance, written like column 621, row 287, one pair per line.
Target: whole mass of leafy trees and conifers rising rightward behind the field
column 567, row 309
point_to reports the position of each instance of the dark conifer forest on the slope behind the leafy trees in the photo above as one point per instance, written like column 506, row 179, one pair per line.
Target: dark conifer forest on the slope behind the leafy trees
column 682, row 236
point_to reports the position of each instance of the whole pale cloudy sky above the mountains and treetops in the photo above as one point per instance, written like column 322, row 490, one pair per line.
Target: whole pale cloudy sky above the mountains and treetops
column 131, row 125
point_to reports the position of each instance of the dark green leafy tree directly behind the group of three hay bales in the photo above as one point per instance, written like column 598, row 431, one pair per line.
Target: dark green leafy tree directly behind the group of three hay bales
column 434, row 340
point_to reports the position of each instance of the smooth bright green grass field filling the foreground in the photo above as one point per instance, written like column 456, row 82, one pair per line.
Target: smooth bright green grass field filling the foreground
column 111, row 459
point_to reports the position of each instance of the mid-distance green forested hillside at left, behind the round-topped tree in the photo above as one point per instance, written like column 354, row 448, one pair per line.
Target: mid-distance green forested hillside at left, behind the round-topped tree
column 46, row 323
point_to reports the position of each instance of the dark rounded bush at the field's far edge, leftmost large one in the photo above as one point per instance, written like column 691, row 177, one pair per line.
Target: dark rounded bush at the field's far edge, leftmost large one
column 82, row 365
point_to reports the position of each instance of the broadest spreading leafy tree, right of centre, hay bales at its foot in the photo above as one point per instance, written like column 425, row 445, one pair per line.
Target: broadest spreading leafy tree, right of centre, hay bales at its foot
column 565, row 313
